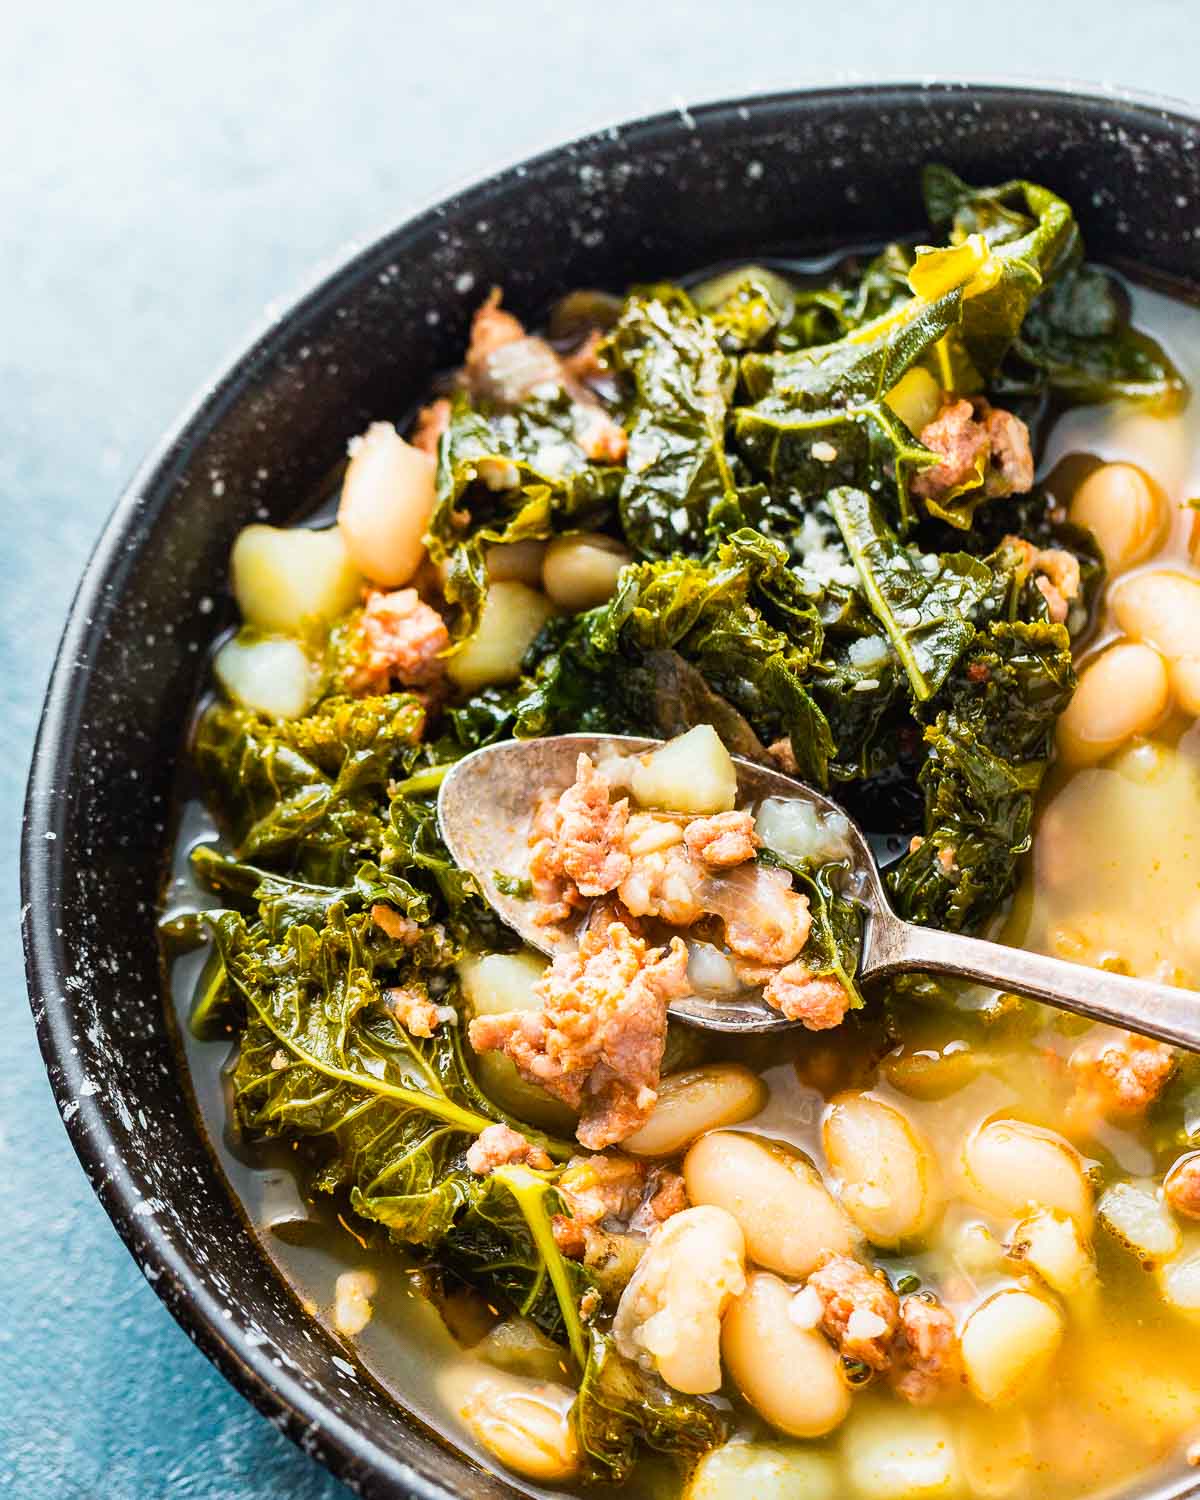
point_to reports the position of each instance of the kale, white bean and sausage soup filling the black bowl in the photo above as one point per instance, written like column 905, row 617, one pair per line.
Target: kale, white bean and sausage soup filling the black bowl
column 931, row 1241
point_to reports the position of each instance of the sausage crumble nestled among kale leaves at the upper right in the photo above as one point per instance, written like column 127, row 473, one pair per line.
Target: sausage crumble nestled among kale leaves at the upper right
column 977, row 443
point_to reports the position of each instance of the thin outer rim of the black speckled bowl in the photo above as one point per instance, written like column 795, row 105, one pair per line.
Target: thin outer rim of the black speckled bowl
column 341, row 1447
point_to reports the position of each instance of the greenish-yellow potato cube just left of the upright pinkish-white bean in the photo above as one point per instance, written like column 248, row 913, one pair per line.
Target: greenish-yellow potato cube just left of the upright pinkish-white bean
column 286, row 578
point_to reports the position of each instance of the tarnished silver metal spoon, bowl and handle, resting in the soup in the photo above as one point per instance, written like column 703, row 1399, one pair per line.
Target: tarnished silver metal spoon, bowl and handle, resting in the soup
column 485, row 809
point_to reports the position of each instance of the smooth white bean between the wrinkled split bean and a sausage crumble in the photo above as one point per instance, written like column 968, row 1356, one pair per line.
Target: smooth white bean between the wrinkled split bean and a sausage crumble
column 790, row 1375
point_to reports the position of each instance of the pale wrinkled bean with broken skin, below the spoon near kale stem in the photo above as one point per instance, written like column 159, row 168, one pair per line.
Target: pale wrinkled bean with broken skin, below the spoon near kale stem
column 670, row 1316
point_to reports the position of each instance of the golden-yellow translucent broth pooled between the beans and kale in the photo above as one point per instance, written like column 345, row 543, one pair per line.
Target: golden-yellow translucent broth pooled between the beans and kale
column 1114, row 881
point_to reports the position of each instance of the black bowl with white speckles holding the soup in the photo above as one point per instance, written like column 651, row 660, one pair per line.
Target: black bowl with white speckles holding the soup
column 802, row 172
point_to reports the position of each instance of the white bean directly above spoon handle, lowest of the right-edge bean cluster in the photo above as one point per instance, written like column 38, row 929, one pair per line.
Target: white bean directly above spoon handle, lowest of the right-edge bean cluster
column 1121, row 694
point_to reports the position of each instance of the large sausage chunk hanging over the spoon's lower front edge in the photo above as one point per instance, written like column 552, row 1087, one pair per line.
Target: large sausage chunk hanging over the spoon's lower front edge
column 598, row 1040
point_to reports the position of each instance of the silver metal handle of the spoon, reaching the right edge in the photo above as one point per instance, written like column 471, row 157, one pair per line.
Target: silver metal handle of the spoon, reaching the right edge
column 1156, row 1010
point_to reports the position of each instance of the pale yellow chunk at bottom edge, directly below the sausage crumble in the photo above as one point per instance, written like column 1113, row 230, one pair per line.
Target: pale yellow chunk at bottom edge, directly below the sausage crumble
column 901, row 1454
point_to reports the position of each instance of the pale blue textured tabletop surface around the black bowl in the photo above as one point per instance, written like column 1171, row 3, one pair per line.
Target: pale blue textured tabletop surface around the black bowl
column 166, row 172
